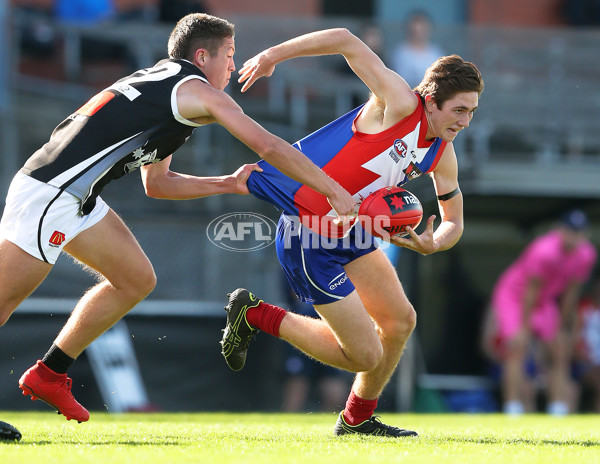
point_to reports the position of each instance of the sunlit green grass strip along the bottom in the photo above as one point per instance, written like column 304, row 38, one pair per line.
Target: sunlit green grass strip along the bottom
column 299, row 438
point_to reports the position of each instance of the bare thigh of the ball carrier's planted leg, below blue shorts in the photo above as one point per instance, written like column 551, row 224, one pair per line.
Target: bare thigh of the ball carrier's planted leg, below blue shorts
column 381, row 292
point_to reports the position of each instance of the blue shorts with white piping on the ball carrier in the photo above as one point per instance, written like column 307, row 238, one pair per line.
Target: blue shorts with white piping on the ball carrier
column 314, row 264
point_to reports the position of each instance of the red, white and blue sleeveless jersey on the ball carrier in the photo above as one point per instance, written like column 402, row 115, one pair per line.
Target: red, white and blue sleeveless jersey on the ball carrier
column 361, row 163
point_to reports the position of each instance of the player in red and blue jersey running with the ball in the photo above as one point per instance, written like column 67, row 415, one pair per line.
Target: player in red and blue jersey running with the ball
column 399, row 134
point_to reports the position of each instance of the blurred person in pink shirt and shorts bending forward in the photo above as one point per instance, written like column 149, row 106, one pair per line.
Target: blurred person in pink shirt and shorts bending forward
column 535, row 299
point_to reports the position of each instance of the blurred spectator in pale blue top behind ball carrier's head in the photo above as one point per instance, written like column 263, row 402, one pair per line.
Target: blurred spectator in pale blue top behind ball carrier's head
column 416, row 52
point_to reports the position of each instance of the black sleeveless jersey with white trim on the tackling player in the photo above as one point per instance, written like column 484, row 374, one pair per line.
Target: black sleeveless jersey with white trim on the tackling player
column 133, row 122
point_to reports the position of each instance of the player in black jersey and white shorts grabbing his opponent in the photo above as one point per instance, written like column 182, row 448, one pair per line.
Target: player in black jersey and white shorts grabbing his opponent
column 53, row 203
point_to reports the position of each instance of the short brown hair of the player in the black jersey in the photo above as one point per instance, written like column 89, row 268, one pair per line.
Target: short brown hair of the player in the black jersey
column 198, row 30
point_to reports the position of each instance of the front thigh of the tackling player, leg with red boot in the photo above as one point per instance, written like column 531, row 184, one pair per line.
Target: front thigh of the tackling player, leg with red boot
column 110, row 248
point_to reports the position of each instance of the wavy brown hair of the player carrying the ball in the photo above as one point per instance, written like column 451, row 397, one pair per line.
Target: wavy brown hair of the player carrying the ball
column 448, row 76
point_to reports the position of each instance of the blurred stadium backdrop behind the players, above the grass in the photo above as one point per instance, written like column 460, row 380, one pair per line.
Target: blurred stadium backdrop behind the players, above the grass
column 532, row 152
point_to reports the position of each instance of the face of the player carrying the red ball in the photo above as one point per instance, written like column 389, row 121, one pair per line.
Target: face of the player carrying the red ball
column 454, row 116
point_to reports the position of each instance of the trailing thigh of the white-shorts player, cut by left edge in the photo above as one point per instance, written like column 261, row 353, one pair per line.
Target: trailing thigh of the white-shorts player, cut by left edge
column 20, row 275
